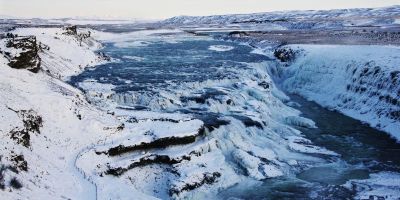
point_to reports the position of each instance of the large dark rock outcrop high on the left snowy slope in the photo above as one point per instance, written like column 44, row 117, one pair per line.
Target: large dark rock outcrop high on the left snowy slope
column 28, row 58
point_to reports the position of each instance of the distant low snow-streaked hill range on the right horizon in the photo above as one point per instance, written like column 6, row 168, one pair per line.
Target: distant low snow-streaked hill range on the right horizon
column 283, row 20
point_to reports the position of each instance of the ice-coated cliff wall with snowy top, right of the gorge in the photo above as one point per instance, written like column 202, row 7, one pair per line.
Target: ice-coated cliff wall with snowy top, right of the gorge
column 362, row 82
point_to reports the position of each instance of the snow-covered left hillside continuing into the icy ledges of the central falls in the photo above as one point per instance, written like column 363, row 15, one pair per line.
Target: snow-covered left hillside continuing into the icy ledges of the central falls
column 67, row 148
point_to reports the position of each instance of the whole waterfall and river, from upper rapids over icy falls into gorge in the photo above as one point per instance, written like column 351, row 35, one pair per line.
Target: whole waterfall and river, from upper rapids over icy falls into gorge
column 251, row 138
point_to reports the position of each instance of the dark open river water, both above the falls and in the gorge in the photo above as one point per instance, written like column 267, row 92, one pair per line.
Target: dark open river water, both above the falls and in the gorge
column 150, row 67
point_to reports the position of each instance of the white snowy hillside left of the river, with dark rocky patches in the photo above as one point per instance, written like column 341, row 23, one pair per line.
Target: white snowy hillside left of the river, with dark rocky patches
column 46, row 122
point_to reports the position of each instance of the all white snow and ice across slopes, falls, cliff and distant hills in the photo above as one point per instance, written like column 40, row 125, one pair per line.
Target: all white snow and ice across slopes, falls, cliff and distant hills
column 68, row 158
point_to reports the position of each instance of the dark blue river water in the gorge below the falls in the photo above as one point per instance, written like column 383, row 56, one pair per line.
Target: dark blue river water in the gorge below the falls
column 364, row 150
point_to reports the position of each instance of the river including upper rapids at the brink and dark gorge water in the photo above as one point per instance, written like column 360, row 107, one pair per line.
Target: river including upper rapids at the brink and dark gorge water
column 150, row 70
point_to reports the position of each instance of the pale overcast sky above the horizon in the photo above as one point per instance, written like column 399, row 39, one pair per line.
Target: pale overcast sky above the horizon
column 158, row 9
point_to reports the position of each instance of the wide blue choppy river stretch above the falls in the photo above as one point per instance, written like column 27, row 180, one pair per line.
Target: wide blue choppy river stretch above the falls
column 155, row 65
